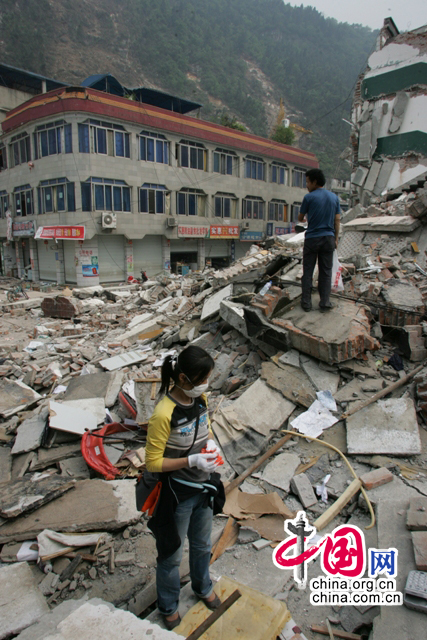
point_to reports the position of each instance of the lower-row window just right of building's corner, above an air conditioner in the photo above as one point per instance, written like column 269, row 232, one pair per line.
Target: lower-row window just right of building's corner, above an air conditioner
column 99, row 194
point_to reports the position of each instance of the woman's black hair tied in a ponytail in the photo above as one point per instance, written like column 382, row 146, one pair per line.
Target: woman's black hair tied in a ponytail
column 194, row 362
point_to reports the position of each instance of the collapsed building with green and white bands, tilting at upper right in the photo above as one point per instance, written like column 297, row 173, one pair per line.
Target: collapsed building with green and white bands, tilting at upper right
column 389, row 135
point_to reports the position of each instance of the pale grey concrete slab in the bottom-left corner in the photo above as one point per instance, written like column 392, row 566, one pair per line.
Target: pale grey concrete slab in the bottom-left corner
column 21, row 601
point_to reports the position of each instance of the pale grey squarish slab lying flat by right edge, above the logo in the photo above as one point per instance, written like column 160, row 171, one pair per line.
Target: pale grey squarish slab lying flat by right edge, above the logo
column 387, row 426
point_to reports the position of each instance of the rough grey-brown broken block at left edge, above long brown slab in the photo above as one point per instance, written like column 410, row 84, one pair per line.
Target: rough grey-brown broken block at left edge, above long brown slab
column 29, row 493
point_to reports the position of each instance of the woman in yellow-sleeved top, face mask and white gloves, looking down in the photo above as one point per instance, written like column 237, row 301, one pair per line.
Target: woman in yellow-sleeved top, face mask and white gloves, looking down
column 178, row 430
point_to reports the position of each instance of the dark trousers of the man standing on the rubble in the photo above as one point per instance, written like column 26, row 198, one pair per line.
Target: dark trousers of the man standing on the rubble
column 322, row 250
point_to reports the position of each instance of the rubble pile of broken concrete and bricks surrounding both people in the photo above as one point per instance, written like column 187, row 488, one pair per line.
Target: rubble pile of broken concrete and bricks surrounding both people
column 76, row 396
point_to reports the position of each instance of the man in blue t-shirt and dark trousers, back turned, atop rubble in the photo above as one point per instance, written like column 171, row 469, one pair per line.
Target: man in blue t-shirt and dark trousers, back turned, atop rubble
column 322, row 209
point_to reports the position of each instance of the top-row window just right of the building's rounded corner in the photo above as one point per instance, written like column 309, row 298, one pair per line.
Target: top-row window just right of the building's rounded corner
column 104, row 138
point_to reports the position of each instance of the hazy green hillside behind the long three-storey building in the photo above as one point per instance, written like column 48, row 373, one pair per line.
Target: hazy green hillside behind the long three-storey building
column 235, row 56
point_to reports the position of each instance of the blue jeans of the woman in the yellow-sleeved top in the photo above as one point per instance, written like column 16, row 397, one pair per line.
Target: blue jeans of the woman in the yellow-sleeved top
column 195, row 520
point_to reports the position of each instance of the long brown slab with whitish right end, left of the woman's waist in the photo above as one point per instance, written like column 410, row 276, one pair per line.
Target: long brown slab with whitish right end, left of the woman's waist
column 94, row 505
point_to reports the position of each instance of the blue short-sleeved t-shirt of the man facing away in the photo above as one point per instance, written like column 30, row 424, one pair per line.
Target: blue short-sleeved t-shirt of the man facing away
column 321, row 207
